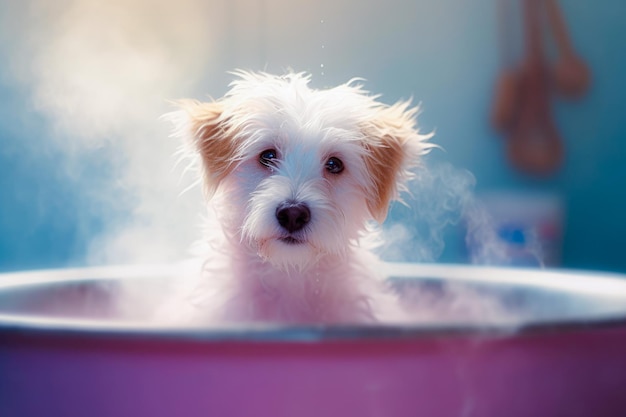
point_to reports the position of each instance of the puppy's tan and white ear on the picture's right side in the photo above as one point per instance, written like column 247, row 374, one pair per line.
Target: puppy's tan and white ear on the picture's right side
column 393, row 146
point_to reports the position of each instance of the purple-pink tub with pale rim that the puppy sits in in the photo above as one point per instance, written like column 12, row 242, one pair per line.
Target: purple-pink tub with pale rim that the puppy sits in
column 558, row 349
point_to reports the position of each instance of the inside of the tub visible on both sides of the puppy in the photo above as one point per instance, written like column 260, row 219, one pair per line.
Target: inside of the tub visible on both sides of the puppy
column 438, row 296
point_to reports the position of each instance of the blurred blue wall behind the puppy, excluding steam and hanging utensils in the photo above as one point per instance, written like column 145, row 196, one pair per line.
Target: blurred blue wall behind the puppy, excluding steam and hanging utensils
column 442, row 53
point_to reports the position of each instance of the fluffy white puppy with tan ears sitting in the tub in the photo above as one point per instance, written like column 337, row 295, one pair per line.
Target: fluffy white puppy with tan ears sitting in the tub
column 298, row 180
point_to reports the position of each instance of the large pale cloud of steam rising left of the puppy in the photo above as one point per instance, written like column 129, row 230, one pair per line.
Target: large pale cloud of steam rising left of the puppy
column 101, row 72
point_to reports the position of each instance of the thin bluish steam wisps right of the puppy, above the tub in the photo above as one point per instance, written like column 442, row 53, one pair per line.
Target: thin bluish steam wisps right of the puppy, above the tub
column 440, row 198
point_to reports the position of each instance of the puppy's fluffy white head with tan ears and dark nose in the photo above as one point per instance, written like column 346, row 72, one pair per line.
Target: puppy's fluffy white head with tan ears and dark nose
column 299, row 172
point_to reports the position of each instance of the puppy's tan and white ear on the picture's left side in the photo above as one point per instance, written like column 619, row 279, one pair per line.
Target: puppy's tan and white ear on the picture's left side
column 207, row 133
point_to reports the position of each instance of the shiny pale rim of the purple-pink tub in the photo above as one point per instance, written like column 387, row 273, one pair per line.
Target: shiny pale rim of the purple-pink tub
column 604, row 283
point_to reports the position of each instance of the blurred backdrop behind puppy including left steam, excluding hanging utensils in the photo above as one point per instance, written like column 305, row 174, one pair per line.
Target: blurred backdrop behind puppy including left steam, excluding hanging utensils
column 87, row 172
